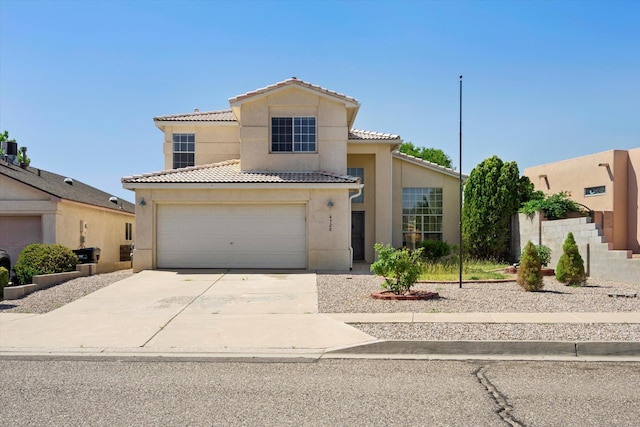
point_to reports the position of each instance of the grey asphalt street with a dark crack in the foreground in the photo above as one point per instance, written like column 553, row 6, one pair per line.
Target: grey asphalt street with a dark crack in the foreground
column 319, row 393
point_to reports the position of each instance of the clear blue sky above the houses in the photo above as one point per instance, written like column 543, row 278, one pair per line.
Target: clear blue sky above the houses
column 80, row 81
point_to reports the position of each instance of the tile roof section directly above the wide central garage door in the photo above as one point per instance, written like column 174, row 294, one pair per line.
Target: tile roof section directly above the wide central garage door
column 229, row 172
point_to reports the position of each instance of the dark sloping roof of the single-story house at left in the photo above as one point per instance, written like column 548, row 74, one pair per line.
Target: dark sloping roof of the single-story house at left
column 55, row 185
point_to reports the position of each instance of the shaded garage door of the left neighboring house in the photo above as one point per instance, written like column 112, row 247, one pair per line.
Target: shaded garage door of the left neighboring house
column 16, row 232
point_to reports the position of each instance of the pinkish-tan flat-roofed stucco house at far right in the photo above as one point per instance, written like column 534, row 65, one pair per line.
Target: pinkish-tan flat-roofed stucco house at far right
column 607, row 184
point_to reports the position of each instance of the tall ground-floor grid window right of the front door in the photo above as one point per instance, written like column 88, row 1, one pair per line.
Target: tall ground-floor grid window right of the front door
column 421, row 215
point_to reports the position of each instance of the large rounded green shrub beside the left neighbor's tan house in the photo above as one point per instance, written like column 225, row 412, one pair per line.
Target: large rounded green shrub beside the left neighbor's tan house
column 42, row 258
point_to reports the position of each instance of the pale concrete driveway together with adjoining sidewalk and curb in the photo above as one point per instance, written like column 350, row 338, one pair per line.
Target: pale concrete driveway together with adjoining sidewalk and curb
column 247, row 314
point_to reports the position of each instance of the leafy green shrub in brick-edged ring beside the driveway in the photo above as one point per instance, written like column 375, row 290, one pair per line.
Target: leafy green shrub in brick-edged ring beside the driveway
column 400, row 268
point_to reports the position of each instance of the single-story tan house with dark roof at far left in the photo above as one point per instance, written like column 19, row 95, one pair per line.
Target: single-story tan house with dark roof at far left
column 37, row 206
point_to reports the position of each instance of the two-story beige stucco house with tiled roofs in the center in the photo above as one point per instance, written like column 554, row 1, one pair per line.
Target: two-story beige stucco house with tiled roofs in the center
column 282, row 180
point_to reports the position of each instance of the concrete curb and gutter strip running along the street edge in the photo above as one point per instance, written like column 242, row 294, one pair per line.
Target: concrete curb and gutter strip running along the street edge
column 410, row 350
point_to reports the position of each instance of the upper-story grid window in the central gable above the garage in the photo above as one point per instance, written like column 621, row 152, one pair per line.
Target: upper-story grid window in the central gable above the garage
column 293, row 134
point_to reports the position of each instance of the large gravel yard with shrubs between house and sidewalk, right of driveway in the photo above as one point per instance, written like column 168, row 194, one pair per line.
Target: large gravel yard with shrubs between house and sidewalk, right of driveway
column 340, row 293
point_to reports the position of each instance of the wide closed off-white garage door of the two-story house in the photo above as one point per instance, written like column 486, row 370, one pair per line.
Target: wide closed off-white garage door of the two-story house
column 231, row 236
